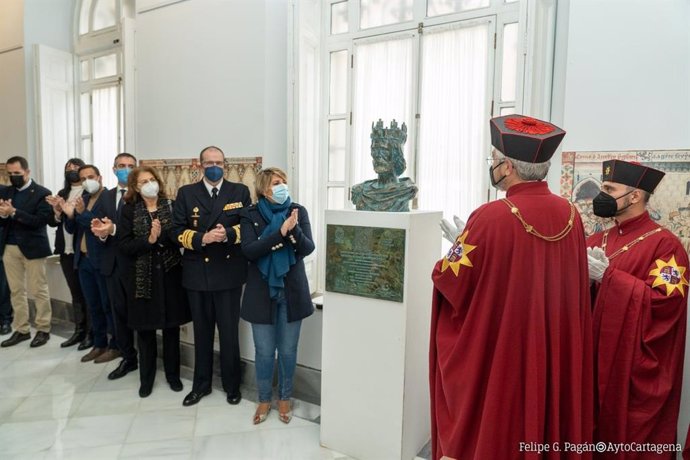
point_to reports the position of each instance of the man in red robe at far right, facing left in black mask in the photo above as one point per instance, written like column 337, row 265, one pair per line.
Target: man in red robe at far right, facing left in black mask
column 640, row 279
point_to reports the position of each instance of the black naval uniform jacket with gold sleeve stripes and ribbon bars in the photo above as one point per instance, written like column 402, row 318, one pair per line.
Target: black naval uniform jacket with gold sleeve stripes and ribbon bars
column 216, row 266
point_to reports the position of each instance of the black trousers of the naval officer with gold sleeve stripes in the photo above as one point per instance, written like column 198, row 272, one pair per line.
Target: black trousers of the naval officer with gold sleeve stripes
column 211, row 308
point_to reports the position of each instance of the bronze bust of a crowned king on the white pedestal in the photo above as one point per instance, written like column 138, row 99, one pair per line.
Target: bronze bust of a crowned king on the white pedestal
column 389, row 192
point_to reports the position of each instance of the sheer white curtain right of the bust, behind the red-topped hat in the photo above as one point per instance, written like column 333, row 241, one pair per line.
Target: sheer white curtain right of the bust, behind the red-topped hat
column 452, row 174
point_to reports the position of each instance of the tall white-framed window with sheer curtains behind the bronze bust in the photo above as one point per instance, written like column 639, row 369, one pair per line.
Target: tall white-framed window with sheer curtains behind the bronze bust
column 442, row 67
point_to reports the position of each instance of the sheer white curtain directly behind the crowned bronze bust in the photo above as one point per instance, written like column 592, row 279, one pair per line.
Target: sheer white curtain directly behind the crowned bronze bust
column 384, row 80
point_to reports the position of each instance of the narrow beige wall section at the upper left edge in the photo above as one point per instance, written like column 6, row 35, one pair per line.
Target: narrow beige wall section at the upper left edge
column 12, row 99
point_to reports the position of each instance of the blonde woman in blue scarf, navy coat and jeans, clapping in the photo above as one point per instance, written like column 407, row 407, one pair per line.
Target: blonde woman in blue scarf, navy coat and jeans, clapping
column 276, row 236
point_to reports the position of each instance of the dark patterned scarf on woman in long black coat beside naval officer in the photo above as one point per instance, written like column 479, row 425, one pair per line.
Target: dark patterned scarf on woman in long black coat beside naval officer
column 141, row 228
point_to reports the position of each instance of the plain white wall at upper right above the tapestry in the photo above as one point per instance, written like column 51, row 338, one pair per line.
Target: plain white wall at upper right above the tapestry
column 622, row 82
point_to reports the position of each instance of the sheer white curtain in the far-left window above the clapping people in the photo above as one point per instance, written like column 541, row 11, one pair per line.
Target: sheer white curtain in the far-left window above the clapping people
column 105, row 131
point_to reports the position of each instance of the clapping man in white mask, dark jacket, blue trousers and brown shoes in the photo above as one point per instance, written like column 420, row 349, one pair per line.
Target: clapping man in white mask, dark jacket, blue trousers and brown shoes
column 87, row 259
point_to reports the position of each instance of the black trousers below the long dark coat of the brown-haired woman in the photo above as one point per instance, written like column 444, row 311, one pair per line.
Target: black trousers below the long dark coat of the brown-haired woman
column 148, row 353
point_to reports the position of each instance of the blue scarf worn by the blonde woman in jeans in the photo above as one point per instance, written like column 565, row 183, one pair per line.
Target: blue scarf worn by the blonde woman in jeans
column 276, row 264
